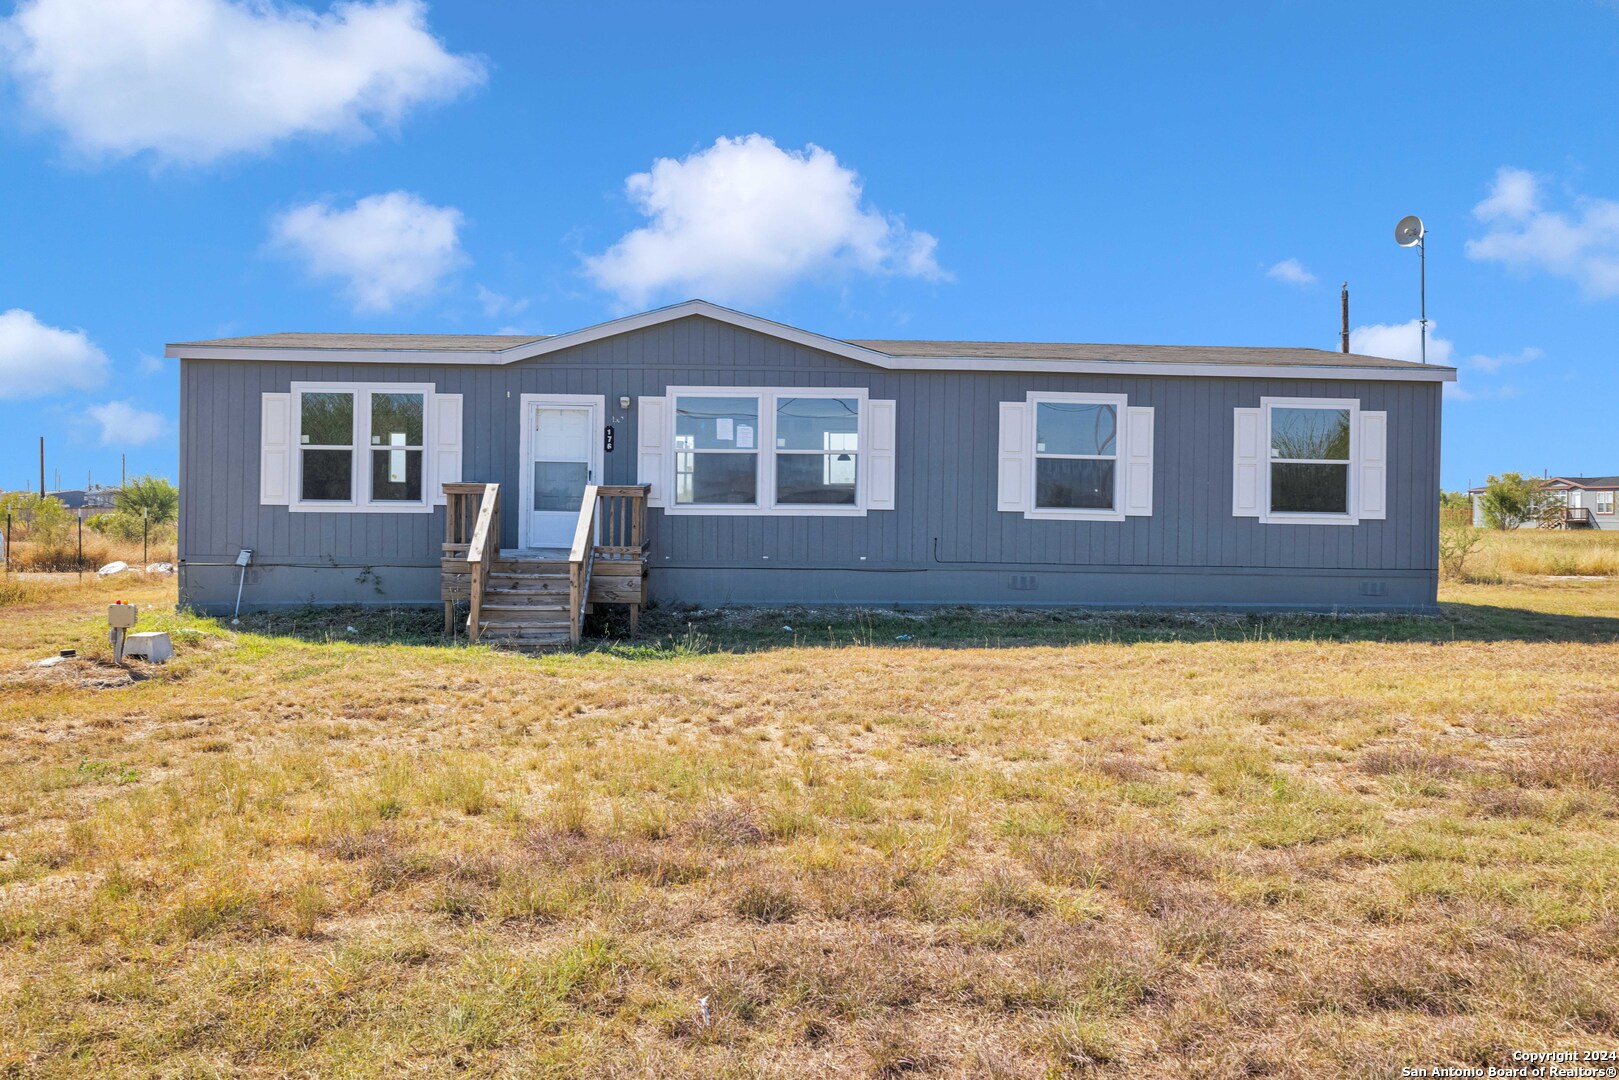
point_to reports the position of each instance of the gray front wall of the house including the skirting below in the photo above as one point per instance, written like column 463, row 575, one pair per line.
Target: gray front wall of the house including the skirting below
column 945, row 543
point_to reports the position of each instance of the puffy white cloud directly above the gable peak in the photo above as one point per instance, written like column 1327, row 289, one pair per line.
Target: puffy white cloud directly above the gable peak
column 744, row 219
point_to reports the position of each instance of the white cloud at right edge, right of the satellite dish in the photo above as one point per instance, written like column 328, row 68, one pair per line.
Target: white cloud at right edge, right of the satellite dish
column 1581, row 245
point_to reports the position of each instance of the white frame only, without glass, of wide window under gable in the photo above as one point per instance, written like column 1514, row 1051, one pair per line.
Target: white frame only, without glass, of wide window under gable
column 767, row 453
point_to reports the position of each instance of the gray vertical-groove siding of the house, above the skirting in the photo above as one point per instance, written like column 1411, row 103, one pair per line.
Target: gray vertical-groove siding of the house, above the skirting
column 946, row 469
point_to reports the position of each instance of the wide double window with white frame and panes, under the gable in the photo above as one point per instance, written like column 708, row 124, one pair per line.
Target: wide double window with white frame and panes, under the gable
column 768, row 451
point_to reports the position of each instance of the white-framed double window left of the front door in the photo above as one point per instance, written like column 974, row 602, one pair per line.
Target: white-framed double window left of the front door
column 362, row 448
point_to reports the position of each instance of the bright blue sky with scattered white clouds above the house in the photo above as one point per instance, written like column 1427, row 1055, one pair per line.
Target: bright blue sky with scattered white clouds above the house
column 1097, row 172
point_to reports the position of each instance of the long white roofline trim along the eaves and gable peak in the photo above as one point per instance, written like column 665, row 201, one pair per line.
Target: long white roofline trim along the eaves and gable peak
column 532, row 351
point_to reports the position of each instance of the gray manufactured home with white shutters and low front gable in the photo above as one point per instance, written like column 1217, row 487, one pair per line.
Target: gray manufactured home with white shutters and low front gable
column 705, row 456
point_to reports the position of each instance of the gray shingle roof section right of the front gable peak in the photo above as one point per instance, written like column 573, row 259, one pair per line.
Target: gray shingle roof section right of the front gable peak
column 1137, row 354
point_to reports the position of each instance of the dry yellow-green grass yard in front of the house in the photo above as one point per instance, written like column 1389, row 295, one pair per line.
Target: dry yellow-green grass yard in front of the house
column 998, row 846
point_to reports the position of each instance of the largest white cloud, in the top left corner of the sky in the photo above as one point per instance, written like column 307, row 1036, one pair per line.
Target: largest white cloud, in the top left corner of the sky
column 197, row 80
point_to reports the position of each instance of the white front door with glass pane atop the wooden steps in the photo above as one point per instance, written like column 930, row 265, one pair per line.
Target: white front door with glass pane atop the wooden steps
column 563, row 459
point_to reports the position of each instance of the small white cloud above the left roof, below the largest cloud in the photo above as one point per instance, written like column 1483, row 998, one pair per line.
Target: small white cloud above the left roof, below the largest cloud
column 388, row 249
